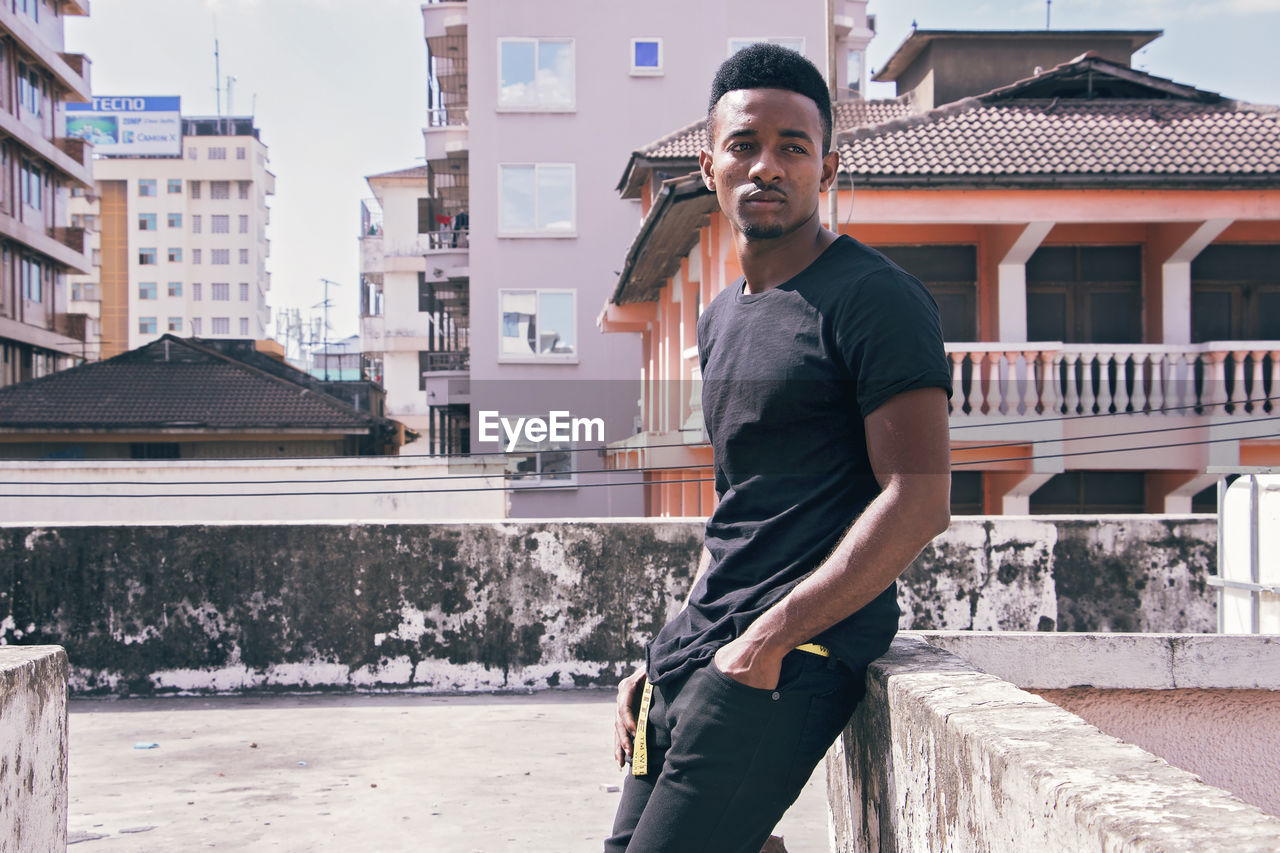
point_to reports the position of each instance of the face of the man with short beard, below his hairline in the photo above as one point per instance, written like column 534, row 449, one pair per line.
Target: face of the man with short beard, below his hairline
column 766, row 163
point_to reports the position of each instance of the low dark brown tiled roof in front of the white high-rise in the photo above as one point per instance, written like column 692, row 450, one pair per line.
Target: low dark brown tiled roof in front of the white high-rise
column 176, row 384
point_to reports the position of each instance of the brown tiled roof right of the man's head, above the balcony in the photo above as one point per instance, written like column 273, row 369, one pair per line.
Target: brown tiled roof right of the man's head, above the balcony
column 1007, row 135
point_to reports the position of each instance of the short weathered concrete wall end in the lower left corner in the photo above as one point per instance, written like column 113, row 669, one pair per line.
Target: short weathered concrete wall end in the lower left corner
column 33, row 750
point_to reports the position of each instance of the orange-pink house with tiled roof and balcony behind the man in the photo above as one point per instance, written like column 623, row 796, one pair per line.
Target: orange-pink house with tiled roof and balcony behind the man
column 1103, row 243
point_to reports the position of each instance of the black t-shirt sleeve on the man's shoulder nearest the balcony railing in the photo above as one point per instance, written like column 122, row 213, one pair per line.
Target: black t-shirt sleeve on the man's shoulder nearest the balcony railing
column 890, row 337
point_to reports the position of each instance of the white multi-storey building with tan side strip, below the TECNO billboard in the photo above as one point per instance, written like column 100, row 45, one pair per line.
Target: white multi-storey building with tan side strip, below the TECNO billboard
column 180, row 243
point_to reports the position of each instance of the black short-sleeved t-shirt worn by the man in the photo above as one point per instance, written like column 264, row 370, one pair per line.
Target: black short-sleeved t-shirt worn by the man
column 788, row 378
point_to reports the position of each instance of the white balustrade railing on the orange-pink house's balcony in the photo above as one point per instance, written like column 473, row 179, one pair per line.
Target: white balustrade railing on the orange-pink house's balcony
column 1048, row 380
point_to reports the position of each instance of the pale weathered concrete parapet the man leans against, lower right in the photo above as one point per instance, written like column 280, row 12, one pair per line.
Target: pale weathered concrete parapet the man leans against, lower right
column 944, row 758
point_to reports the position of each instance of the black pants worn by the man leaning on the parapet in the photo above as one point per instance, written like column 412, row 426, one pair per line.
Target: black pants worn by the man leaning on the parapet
column 728, row 760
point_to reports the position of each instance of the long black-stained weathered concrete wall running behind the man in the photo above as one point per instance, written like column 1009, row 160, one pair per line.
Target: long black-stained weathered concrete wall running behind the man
column 491, row 606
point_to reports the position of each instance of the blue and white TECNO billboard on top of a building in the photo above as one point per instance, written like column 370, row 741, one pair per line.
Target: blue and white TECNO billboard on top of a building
column 129, row 126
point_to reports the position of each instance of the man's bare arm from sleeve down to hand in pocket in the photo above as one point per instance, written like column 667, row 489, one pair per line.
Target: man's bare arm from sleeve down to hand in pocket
column 911, row 457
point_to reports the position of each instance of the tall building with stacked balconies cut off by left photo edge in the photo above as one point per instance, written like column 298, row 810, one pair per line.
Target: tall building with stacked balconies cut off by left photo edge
column 39, row 331
